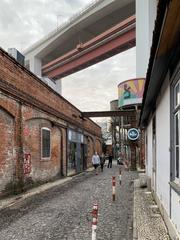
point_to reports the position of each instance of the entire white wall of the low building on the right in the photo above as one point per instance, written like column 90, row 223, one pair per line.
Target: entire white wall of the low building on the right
column 167, row 198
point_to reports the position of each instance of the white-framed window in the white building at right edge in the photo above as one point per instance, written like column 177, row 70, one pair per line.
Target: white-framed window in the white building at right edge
column 176, row 119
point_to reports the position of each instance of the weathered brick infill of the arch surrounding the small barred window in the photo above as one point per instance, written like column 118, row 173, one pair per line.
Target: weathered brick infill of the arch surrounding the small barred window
column 42, row 168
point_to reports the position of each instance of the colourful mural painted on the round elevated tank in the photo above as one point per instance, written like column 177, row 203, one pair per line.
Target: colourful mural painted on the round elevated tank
column 130, row 92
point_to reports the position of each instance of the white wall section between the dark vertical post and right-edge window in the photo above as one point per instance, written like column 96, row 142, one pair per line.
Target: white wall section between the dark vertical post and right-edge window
column 162, row 148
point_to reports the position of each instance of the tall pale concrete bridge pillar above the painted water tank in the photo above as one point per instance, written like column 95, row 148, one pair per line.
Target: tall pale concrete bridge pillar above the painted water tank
column 145, row 18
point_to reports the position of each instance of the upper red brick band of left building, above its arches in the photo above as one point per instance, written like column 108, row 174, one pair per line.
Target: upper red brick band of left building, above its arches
column 32, row 87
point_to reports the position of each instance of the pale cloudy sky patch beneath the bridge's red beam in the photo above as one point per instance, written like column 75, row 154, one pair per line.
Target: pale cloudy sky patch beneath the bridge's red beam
column 92, row 89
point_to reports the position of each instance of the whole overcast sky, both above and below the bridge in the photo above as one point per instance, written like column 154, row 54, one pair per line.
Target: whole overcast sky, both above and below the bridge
column 23, row 22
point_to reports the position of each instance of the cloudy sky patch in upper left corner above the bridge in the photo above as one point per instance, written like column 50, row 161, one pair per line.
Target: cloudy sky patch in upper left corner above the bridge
column 23, row 22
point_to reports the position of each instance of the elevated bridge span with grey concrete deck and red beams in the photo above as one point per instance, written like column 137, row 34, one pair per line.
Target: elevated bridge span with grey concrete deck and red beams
column 101, row 30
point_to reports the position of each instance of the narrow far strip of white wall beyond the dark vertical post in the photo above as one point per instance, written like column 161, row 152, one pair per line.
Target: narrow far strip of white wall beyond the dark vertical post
column 149, row 150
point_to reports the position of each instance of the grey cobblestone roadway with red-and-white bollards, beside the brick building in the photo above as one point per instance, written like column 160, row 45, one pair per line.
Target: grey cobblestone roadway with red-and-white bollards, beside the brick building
column 64, row 212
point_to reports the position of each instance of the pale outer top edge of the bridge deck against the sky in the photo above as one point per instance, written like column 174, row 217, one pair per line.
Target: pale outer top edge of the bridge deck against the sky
column 65, row 24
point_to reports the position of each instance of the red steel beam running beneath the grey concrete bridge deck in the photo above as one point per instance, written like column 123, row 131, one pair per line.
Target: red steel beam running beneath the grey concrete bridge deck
column 115, row 40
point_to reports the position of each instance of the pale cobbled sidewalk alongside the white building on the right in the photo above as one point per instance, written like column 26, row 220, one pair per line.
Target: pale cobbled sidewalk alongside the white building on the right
column 148, row 222
